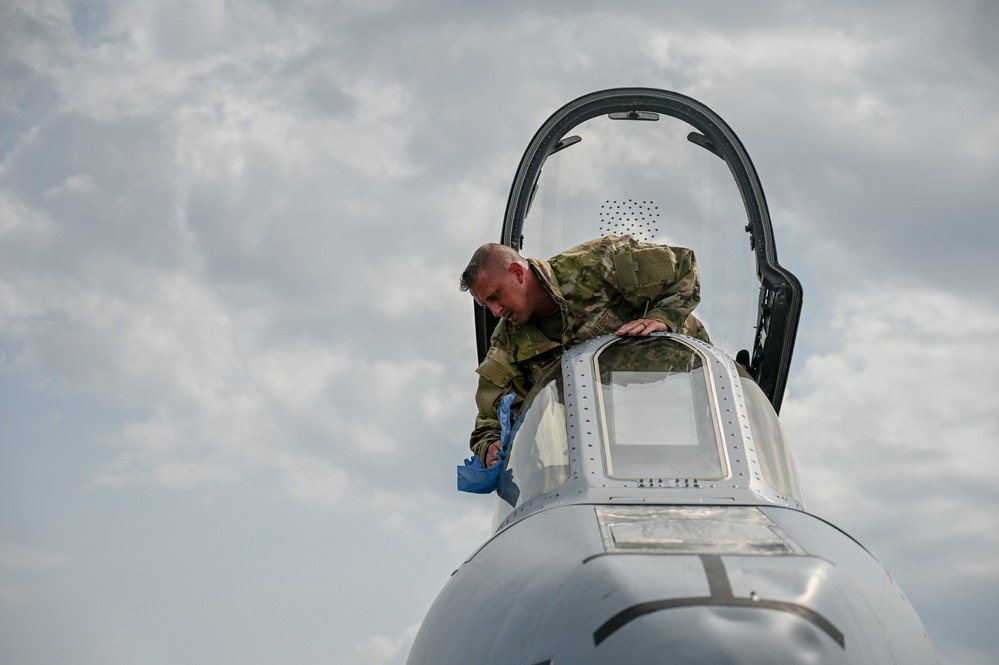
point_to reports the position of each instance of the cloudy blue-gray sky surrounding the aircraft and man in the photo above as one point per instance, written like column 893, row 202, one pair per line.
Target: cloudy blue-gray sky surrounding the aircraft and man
column 236, row 373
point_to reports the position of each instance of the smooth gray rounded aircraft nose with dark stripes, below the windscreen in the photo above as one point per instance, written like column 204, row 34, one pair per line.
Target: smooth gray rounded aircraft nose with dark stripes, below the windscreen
column 586, row 584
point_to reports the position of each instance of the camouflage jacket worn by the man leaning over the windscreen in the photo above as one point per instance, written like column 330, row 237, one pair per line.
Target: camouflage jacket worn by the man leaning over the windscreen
column 598, row 286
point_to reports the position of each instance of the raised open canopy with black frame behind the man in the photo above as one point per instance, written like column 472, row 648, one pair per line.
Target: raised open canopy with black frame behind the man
column 664, row 168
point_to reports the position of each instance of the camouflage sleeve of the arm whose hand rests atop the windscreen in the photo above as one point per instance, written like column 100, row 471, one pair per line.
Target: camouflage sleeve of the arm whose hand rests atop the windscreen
column 664, row 279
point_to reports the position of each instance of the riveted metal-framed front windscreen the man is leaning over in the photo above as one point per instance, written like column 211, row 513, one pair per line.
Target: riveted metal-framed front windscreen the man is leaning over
column 662, row 418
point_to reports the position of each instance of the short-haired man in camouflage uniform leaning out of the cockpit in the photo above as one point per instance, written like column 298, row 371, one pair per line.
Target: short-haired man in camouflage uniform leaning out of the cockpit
column 610, row 284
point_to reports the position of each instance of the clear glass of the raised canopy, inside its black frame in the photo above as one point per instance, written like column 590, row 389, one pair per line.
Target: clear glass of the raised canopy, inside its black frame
column 646, row 179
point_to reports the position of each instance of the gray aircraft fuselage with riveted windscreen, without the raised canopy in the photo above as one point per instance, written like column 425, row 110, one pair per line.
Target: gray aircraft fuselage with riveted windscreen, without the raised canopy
column 596, row 561
